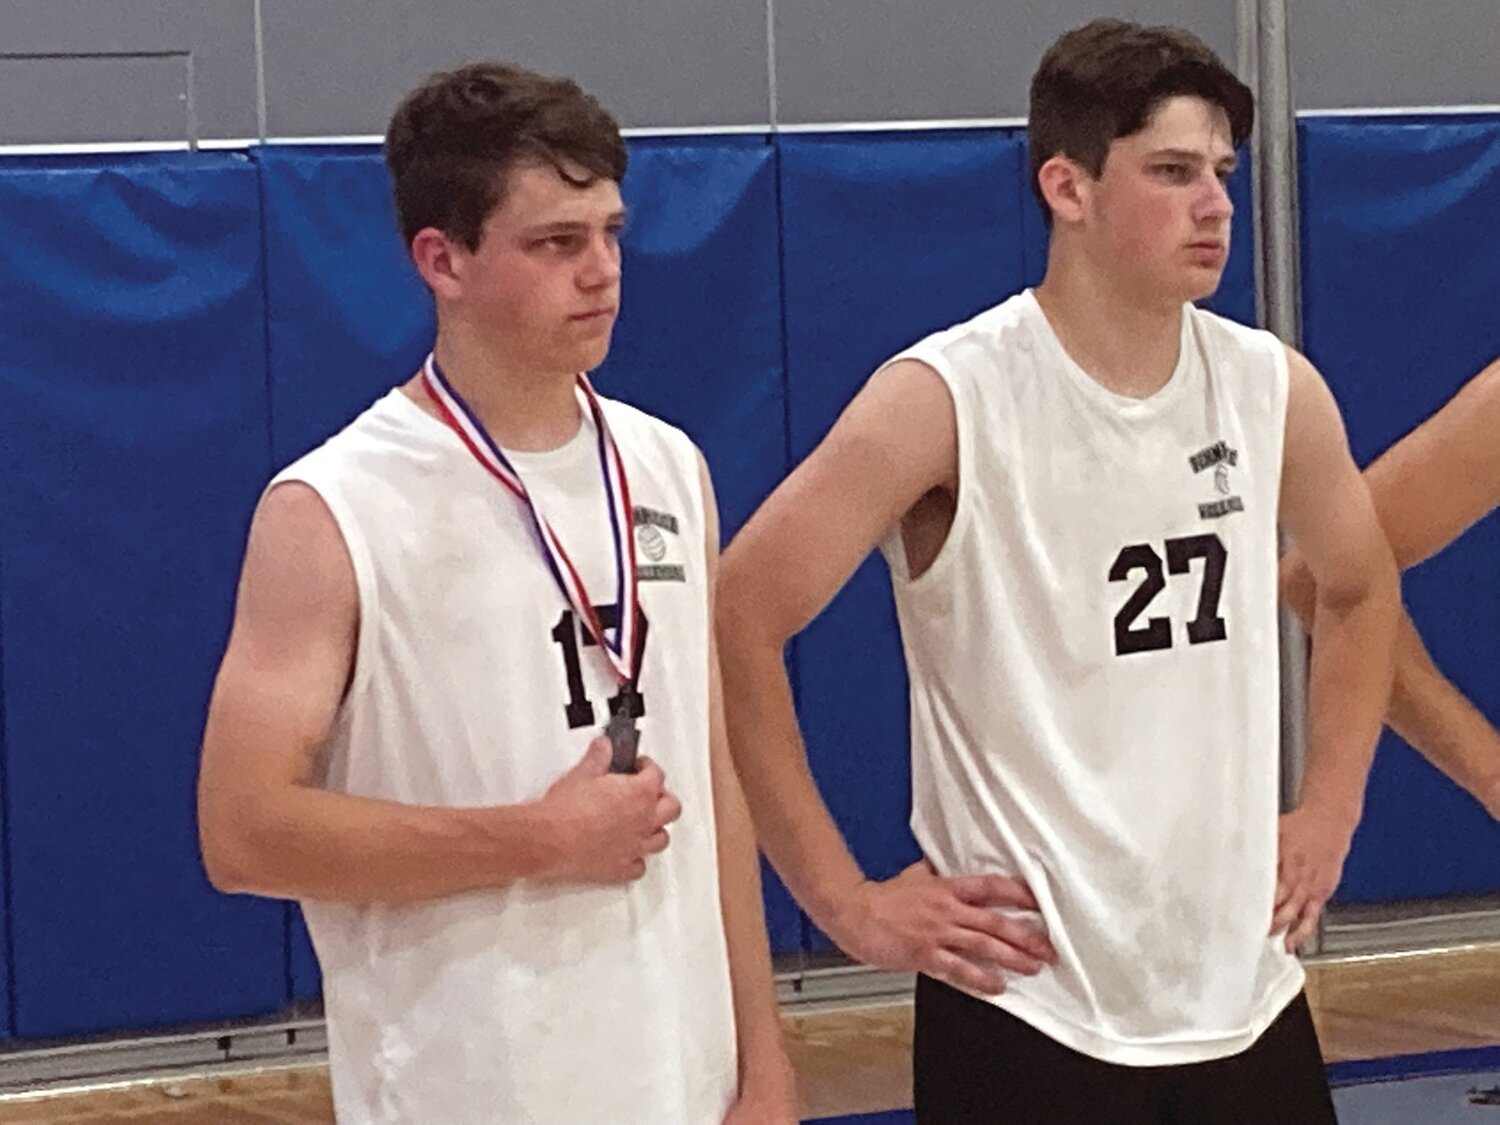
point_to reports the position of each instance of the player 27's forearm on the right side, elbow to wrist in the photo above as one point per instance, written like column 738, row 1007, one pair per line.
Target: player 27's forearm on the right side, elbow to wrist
column 1349, row 689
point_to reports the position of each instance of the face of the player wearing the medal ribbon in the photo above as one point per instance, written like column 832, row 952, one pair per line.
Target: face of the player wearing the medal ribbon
column 544, row 283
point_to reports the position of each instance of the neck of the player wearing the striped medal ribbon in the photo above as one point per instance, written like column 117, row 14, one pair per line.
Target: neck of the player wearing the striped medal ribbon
column 524, row 409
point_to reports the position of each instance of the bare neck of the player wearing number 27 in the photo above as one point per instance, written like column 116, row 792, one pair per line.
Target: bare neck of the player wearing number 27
column 1127, row 344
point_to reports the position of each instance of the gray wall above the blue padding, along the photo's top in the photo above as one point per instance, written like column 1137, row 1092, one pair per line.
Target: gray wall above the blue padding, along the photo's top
column 338, row 67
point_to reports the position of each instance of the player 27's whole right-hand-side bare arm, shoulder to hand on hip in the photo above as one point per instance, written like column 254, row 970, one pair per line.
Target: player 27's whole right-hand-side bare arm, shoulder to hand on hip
column 1328, row 511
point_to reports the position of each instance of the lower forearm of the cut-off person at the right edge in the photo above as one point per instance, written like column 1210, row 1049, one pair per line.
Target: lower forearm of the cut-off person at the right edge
column 1430, row 713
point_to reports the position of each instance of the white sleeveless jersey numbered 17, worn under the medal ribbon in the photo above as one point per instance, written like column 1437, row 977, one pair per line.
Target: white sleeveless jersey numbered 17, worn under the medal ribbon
column 475, row 685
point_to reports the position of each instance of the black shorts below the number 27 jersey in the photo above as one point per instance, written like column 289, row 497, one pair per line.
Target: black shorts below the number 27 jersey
column 976, row 1063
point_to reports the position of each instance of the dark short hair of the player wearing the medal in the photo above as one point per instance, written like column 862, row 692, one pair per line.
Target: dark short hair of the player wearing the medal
column 454, row 142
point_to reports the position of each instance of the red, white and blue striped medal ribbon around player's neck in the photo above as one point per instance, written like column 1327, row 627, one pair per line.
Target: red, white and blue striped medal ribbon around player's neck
column 461, row 419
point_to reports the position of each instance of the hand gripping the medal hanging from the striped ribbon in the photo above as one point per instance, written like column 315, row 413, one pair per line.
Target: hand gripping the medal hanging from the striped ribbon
column 608, row 824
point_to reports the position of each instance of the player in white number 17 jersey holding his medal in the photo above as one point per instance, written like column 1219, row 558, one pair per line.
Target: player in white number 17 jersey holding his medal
column 443, row 655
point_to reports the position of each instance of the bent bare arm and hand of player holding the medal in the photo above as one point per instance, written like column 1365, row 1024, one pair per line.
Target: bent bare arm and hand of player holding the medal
column 266, row 829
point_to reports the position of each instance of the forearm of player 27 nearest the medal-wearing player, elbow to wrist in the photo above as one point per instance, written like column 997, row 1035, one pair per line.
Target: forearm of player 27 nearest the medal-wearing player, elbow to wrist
column 793, row 824
